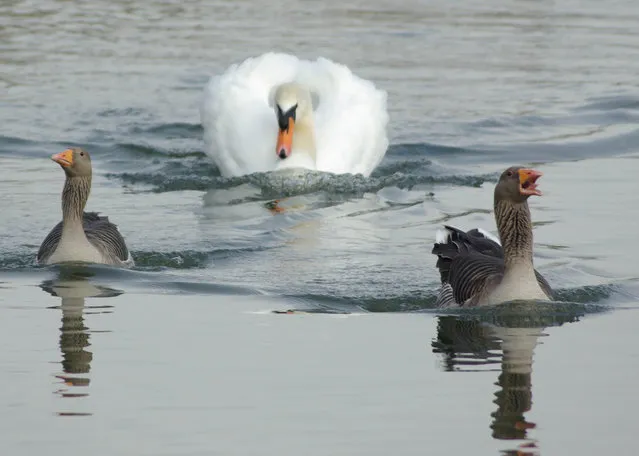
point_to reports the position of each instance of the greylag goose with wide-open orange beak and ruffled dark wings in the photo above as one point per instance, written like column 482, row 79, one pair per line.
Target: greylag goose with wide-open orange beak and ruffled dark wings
column 475, row 269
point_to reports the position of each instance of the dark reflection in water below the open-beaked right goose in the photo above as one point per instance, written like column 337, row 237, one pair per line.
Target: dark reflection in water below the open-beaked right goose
column 505, row 344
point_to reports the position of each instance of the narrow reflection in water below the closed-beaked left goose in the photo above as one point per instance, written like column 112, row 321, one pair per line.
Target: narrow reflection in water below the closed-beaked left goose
column 72, row 285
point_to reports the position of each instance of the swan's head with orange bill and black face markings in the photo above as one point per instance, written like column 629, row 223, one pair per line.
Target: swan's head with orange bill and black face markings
column 293, row 105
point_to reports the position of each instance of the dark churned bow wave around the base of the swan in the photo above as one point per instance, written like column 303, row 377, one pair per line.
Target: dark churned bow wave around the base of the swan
column 159, row 170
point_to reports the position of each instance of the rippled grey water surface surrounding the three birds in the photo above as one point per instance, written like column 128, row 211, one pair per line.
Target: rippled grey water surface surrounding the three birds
column 184, row 354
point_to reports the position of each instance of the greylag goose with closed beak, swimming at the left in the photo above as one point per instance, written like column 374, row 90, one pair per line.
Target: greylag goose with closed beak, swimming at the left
column 81, row 236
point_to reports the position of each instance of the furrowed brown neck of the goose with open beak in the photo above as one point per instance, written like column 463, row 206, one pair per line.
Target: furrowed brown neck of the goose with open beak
column 515, row 231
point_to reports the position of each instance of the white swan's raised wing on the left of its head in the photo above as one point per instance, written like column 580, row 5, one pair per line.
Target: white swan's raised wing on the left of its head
column 240, row 127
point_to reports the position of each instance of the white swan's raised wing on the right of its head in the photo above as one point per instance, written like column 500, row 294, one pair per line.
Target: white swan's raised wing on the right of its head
column 350, row 120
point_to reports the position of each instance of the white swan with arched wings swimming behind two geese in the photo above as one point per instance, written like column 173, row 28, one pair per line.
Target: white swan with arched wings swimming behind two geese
column 277, row 111
